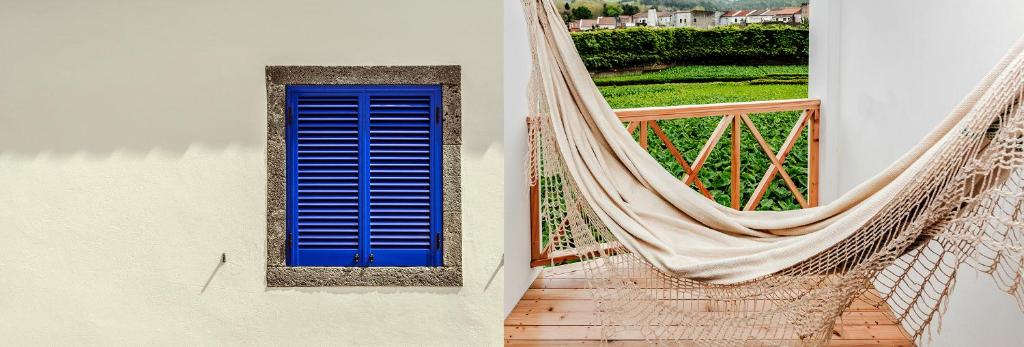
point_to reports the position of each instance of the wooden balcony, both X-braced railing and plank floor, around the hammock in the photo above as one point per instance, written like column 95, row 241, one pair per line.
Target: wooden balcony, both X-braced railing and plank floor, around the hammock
column 558, row 309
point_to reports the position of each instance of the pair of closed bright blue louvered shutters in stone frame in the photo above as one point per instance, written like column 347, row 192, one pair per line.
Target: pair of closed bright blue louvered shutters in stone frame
column 364, row 173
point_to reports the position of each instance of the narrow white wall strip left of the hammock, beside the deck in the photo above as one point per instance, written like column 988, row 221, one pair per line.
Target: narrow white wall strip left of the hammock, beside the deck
column 519, row 275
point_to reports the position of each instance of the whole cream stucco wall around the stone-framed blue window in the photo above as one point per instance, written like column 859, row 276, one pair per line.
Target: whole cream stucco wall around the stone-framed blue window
column 133, row 156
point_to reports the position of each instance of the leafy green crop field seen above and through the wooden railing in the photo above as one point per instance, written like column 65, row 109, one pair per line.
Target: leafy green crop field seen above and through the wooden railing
column 690, row 136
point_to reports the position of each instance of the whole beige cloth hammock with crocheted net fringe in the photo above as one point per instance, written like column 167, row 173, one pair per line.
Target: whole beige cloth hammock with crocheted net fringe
column 957, row 200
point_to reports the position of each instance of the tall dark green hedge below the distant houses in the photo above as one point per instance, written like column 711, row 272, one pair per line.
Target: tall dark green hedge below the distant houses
column 610, row 50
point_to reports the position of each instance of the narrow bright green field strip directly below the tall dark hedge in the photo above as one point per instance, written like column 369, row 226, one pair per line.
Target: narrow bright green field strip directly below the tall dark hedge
column 698, row 74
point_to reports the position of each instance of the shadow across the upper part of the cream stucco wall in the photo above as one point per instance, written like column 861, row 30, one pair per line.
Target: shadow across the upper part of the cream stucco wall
column 161, row 77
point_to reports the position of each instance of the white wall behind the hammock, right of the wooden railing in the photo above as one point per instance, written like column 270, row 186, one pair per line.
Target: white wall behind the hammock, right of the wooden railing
column 888, row 84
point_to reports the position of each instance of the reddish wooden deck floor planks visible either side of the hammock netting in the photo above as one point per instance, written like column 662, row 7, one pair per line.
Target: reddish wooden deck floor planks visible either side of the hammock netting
column 558, row 311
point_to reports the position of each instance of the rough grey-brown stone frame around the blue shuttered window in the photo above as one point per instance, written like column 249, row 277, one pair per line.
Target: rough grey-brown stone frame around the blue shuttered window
column 278, row 272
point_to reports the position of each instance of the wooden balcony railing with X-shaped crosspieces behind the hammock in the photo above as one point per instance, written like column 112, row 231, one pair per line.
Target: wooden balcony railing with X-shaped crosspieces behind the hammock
column 737, row 116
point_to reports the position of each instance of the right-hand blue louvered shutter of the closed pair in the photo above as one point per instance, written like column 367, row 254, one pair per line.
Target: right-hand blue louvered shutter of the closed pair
column 405, row 178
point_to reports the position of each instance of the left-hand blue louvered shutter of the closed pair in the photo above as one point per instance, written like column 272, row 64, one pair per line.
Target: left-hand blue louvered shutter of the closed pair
column 326, row 181
